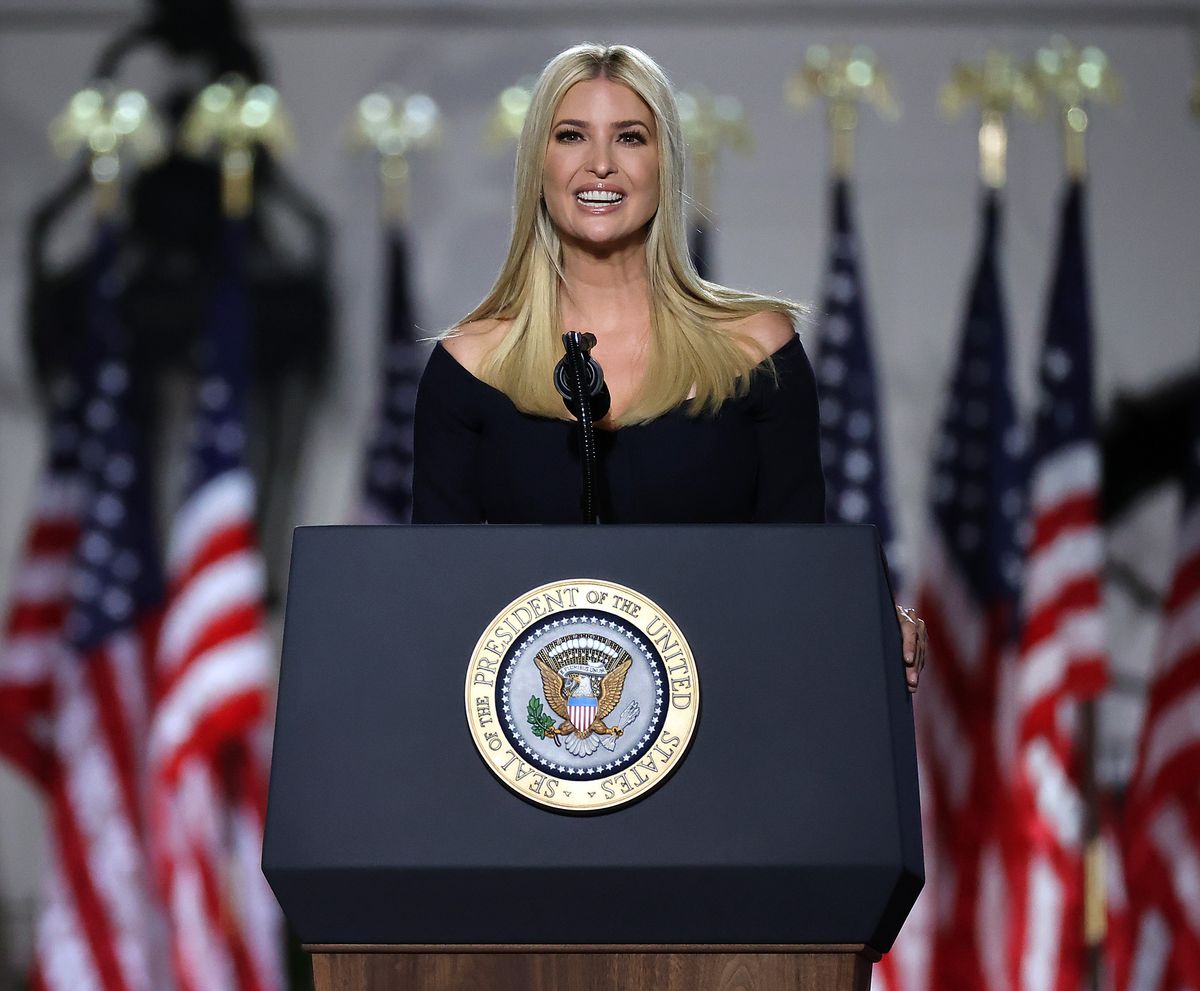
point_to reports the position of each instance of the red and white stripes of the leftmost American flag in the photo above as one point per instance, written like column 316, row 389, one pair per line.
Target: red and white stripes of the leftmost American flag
column 77, row 726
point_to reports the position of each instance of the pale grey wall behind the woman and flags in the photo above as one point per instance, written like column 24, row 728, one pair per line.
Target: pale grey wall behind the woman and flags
column 916, row 206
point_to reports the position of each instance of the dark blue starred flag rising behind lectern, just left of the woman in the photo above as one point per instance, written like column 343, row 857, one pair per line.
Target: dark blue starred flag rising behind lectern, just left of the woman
column 389, row 471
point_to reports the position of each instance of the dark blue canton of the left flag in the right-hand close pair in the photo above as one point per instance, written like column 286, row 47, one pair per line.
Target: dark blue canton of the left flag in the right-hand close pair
column 979, row 494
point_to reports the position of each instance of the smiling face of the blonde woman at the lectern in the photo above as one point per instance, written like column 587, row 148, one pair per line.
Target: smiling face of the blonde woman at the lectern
column 602, row 173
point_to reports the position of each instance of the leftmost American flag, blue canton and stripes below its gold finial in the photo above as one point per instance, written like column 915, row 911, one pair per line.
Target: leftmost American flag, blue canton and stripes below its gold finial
column 97, row 927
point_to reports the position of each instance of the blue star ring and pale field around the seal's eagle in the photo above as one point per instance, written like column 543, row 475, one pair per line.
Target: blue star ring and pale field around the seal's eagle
column 568, row 767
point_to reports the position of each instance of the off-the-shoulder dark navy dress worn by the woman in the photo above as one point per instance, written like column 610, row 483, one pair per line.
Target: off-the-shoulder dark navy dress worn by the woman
column 478, row 459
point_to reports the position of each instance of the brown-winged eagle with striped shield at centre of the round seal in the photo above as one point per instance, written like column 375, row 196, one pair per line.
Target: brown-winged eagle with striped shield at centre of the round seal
column 583, row 680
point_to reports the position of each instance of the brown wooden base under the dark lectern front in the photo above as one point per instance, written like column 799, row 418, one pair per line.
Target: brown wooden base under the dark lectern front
column 593, row 969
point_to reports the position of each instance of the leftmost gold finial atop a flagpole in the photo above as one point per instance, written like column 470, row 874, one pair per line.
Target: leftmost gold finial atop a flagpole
column 107, row 124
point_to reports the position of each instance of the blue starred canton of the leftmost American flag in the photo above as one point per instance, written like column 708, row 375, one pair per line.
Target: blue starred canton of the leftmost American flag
column 116, row 578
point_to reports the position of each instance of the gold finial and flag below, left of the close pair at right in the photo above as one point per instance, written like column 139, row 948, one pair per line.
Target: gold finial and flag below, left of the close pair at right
column 976, row 502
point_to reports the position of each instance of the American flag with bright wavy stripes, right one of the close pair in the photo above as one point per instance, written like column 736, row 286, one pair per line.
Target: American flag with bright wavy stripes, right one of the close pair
column 1063, row 646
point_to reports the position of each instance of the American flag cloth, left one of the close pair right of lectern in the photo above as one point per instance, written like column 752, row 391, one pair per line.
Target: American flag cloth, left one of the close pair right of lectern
column 969, row 598
